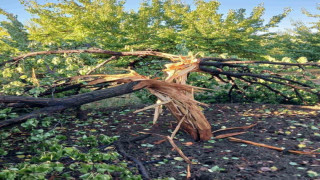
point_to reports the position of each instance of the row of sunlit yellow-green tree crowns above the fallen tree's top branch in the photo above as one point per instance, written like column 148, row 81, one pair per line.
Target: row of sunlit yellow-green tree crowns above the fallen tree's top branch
column 157, row 24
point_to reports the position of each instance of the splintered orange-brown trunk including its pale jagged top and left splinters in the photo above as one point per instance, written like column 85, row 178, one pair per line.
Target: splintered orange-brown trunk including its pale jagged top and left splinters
column 173, row 92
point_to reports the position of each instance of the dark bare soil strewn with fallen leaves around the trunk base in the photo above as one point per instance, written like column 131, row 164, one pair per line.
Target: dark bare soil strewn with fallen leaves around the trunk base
column 290, row 127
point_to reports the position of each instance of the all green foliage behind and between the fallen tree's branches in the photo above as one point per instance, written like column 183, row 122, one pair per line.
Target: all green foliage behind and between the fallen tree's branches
column 165, row 25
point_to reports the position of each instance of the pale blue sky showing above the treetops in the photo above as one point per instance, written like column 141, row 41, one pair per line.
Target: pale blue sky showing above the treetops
column 273, row 7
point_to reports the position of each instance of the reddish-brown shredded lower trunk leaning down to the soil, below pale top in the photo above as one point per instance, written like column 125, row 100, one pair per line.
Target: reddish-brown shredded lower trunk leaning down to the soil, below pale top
column 181, row 105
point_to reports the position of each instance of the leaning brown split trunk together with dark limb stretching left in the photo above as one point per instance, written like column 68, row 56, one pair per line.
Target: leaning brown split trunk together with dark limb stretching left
column 181, row 105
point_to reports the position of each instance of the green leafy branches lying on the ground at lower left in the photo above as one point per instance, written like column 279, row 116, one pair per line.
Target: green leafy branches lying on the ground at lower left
column 51, row 155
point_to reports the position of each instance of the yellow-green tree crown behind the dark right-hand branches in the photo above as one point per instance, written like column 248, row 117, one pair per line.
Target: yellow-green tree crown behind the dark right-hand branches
column 236, row 34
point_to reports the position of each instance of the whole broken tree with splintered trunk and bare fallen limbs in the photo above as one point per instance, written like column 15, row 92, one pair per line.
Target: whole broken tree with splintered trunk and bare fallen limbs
column 172, row 92
